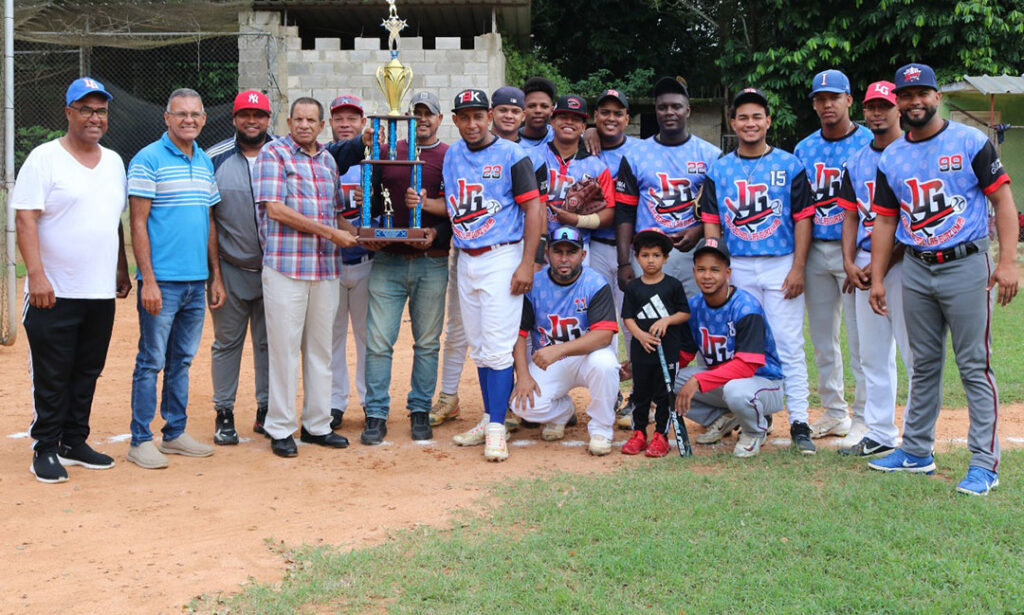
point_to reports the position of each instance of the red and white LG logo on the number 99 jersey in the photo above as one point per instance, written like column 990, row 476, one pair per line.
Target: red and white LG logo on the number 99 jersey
column 932, row 217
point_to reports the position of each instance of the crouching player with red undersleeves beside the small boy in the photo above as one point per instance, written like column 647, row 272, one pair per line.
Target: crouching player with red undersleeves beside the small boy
column 744, row 378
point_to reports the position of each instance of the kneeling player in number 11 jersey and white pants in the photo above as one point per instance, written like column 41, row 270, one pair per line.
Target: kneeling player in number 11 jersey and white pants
column 571, row 316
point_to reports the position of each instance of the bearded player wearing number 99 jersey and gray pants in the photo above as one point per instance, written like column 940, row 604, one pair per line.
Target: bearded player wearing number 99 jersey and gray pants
column 931, row 194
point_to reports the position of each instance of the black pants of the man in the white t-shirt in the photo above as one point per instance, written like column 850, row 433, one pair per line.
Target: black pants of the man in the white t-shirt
column 67, row 352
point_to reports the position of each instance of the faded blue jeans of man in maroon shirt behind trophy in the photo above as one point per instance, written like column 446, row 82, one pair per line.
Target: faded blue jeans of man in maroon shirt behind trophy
column 423, row 282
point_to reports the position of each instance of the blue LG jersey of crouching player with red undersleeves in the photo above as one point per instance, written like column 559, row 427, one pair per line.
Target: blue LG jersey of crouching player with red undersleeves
column 737, row 330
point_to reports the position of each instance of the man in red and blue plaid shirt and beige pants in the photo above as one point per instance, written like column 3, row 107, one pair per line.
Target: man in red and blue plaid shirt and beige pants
column 295, row 184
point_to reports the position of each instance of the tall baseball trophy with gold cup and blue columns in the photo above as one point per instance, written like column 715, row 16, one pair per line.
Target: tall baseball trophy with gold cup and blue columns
column 395, row 80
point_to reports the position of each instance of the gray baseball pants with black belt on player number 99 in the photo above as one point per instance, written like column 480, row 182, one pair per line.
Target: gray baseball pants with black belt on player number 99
column 952, row 297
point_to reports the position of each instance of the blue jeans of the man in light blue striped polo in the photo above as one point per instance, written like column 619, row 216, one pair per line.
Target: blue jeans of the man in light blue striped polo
column 167, row 341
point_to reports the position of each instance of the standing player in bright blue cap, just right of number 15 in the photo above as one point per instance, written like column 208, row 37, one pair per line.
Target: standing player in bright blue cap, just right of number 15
column 824, row 155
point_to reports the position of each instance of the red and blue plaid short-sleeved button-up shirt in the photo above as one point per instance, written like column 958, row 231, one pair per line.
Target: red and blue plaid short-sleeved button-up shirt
column 309, row 185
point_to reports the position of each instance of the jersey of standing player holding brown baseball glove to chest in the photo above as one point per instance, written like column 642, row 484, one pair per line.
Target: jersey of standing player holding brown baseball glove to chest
column 563, row 174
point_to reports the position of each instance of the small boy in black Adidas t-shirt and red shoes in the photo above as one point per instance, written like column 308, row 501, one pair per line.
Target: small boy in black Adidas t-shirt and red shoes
column 655, row 311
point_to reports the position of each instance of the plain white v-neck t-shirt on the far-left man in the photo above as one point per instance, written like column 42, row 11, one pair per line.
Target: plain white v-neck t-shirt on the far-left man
column 78, row 230
